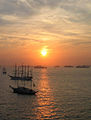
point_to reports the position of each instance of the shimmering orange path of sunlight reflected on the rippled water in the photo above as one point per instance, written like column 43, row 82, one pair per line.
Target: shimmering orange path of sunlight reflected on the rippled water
column 46, row 106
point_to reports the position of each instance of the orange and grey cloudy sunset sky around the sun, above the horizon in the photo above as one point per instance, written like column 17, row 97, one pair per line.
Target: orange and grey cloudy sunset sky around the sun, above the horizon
column 62, row 27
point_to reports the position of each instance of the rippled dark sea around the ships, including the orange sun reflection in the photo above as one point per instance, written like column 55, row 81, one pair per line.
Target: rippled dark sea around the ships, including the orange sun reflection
column 64, row 94
